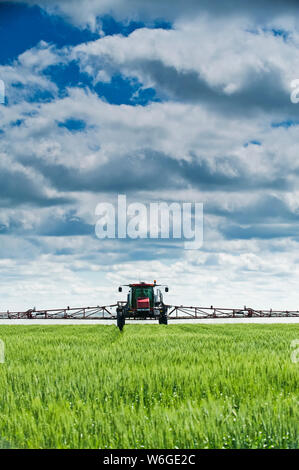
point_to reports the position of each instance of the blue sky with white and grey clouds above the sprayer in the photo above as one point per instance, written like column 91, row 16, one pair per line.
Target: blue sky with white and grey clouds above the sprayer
column 162, row 100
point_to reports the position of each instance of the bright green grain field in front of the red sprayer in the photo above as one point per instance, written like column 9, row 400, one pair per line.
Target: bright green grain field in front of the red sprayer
column 178, row 386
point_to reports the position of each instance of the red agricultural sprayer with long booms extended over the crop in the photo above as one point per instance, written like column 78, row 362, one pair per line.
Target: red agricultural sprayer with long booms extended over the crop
column 145, row 302
